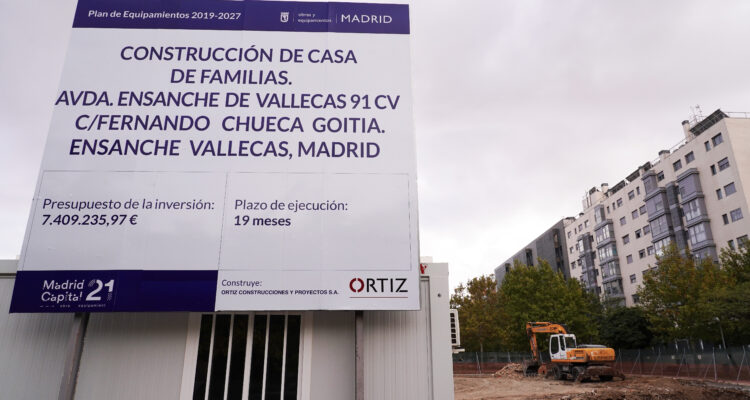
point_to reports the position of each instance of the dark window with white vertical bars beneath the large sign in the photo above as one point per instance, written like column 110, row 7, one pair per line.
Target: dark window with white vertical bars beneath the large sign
column 272, row 341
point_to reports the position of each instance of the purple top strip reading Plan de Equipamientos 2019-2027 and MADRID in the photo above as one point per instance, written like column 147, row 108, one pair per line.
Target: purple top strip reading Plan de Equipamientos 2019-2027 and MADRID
column 248, row 15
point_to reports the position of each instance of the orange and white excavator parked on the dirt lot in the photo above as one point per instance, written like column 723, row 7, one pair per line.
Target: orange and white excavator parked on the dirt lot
column 580, row 362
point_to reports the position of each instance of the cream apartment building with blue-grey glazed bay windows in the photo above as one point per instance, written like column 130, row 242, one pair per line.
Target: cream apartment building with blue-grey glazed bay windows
column 695, row 195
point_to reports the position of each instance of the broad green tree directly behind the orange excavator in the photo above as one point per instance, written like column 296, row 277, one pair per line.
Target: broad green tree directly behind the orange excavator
column 536, row 293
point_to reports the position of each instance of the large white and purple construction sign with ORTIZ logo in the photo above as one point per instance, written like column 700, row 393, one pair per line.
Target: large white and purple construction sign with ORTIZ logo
column 227, row 156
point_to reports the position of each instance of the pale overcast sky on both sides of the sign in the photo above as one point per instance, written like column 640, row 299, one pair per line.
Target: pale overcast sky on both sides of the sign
column 520, row 106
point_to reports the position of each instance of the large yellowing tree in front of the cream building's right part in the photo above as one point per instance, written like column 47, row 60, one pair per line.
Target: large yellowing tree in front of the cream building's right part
column 679, row 296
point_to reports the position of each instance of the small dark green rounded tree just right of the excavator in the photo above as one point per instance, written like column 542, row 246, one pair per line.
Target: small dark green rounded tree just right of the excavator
column 626, row 328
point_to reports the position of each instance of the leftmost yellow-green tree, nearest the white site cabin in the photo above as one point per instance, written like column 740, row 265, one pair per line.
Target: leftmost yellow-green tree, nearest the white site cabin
column 478, row 313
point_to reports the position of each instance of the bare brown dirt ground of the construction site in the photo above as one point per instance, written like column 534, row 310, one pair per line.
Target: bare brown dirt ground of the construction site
column 512, row 385
